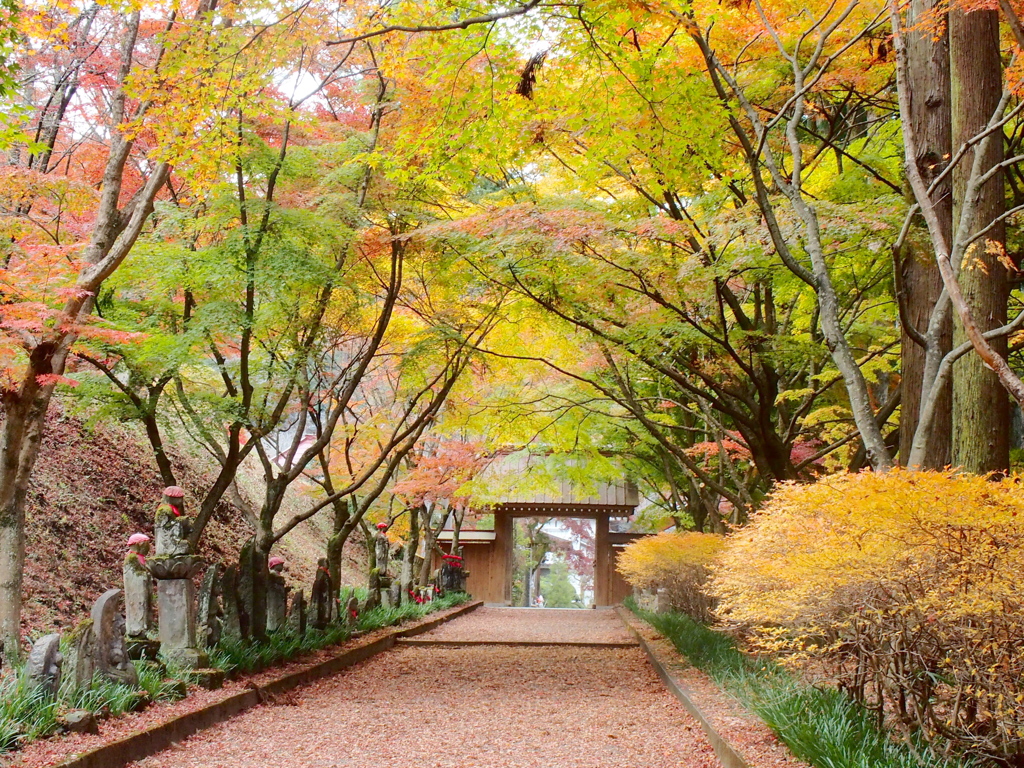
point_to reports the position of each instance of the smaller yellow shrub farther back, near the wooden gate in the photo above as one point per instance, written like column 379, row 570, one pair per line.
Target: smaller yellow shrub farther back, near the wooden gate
column 676, row 563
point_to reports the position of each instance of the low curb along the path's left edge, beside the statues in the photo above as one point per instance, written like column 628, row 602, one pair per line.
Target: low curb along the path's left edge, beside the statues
column 144, row 744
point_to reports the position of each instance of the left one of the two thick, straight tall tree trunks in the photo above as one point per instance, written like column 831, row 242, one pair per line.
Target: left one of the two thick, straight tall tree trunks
column 930, row 116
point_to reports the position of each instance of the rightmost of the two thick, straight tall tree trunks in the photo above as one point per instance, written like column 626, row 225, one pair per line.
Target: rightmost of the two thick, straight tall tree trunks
column 982, row 406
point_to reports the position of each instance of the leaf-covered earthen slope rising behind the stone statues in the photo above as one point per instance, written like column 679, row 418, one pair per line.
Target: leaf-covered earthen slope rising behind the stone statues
column 94, row 487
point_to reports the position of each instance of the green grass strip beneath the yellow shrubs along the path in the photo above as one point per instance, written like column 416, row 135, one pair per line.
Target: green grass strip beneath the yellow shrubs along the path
column 823, row 728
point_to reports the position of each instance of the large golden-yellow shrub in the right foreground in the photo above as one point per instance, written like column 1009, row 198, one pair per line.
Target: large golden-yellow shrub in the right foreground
column 909, row 583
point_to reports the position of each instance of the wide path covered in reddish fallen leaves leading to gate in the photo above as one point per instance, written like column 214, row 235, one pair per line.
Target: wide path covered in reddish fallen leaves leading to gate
column 489, row 707
